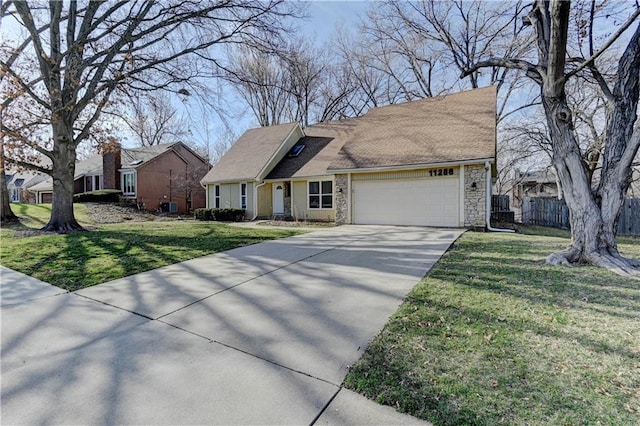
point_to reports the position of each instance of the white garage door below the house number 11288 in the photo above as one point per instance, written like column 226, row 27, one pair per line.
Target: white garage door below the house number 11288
column 423, row 202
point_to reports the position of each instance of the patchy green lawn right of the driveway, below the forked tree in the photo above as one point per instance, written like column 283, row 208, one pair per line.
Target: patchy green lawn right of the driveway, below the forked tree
column 493, row 336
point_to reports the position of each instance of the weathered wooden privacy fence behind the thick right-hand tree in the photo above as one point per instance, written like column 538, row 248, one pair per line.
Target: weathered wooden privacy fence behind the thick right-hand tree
column 554, row 212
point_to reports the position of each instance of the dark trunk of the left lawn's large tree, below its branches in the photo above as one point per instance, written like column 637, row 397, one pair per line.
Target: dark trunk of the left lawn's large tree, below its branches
column 64, row 164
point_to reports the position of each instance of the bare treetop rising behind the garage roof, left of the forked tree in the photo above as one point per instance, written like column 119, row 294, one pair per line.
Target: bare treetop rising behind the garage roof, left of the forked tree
column 418, row 43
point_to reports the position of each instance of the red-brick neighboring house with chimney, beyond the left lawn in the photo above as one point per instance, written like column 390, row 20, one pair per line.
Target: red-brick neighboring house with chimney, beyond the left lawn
column 150, row 176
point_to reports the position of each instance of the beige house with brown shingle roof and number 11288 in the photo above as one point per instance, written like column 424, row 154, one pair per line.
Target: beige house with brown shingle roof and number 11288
column 427, row 162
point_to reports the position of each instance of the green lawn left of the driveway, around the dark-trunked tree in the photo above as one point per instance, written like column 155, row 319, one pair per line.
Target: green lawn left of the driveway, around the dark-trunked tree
column 83, row 259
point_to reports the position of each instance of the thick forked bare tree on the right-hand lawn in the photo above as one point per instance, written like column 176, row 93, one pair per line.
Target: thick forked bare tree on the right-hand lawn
column 594, row 211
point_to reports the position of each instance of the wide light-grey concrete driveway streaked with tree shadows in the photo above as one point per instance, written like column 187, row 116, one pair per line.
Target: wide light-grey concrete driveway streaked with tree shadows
column 262, row 334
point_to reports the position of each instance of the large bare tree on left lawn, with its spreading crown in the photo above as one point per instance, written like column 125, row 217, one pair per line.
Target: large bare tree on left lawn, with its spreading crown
column 71, row 58
